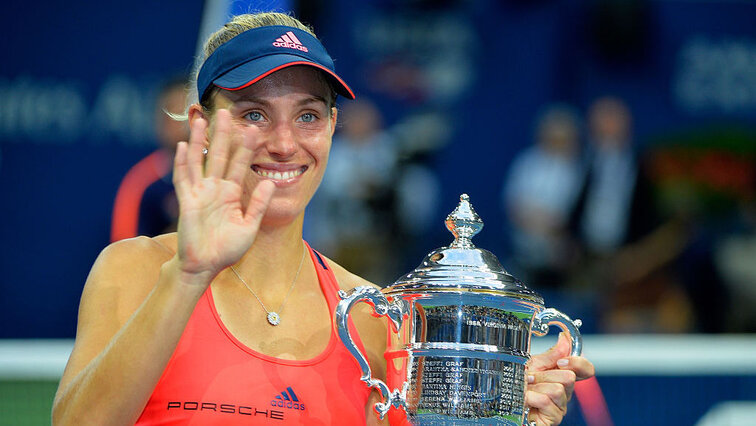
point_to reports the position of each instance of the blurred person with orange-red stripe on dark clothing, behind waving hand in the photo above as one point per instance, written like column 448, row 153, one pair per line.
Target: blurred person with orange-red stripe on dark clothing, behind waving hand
column 146, row 203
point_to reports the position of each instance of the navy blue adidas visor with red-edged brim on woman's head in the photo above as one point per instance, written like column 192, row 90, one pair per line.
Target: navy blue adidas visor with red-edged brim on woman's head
column 259, row 52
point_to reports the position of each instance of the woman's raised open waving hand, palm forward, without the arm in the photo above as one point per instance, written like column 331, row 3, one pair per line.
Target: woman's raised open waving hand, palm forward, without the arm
column 215, row 228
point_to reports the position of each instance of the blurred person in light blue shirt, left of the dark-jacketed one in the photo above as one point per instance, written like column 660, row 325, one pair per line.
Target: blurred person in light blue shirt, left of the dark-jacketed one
column 539, row 194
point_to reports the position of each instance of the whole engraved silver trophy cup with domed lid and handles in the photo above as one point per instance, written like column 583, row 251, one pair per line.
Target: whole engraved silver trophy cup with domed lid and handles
column 461, row 329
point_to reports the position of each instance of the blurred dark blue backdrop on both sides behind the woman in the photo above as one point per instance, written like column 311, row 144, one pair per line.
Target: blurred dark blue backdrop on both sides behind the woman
column 79, row 79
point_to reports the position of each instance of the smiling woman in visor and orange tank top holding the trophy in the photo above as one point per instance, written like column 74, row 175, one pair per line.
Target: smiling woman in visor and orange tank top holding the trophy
column 228, row 320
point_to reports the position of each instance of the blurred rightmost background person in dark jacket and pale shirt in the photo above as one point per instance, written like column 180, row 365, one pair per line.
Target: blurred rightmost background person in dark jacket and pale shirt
column 627, row 252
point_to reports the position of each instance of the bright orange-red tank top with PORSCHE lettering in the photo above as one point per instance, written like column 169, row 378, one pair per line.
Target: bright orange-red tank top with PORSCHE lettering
column 213, row 379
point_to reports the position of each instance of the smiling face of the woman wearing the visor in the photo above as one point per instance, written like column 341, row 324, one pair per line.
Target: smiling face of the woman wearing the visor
column 287, row 117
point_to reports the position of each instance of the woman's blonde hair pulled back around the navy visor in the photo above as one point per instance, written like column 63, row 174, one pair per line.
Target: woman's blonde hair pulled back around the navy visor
column 237, row 25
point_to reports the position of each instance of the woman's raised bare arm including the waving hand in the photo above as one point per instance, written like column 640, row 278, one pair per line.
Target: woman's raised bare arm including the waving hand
column 137, row 299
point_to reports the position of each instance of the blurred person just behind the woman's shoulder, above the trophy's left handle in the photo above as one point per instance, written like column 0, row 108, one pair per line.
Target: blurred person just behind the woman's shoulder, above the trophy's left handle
column 352, row 214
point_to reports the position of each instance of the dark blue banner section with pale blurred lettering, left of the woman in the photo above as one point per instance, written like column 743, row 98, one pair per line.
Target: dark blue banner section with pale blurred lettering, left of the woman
column 77, row 88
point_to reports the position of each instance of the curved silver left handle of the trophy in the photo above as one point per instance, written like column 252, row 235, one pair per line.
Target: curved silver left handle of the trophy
column 395, row 311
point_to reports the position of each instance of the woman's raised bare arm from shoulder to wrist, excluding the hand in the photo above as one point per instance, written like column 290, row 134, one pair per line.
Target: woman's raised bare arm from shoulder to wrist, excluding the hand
column 118, row 358
